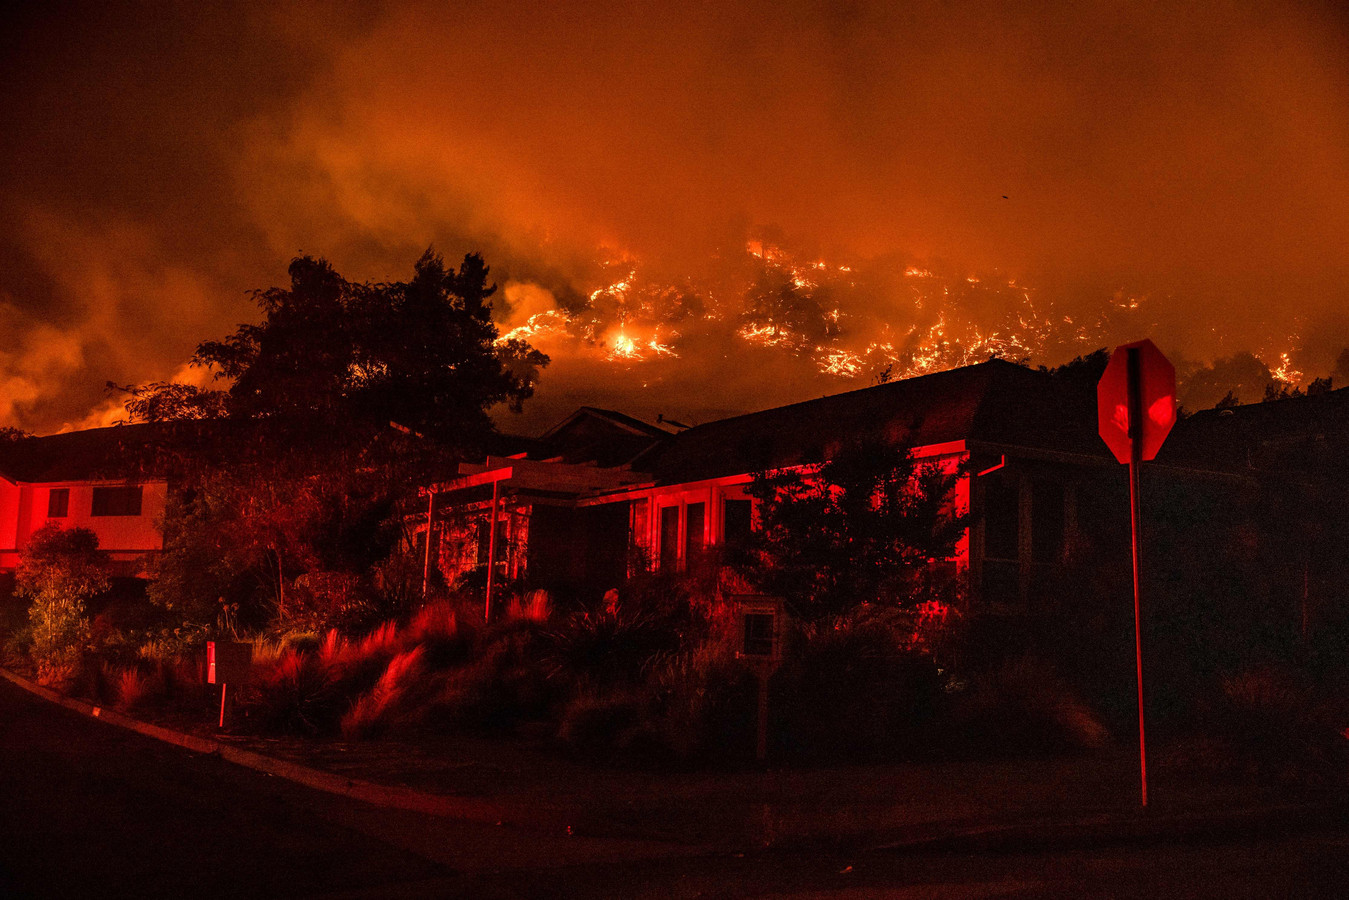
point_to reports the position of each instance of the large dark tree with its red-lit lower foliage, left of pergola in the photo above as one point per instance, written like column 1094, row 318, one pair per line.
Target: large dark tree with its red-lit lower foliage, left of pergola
column 339, row 401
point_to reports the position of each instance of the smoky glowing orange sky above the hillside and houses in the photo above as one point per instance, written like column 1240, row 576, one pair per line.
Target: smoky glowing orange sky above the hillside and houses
column 159, row 164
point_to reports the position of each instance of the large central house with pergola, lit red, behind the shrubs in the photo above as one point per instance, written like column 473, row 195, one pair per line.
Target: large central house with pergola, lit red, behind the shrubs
column 602, row 493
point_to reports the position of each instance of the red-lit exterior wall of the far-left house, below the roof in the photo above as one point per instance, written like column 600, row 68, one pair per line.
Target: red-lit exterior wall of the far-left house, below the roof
column 123, row 538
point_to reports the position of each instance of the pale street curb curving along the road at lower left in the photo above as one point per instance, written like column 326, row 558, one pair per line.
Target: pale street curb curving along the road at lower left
column 355, row 789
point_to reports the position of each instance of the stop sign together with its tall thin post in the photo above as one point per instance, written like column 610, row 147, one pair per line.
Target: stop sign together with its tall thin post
column 1137, row 407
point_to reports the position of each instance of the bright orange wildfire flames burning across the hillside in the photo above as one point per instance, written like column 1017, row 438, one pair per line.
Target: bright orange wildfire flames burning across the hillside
column 849, row 322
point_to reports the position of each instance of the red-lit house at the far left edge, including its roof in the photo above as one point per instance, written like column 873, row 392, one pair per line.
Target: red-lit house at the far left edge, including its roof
column 103, row 480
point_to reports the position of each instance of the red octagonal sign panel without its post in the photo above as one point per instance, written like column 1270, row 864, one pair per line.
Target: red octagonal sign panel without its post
column 1157, row 400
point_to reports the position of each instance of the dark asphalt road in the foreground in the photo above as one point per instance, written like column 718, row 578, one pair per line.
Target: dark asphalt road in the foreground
column 95, row 812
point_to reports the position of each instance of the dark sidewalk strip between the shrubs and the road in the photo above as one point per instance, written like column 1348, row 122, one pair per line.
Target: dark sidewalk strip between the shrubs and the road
column 1018, row 805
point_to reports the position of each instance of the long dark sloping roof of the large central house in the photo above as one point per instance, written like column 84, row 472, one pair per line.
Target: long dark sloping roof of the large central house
column 995, row 403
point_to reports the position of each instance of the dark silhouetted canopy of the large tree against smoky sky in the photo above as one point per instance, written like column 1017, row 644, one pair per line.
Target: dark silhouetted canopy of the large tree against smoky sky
column 341, row 360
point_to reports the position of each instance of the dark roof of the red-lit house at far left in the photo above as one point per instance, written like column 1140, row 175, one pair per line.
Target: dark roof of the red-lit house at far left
column 114, row 453
